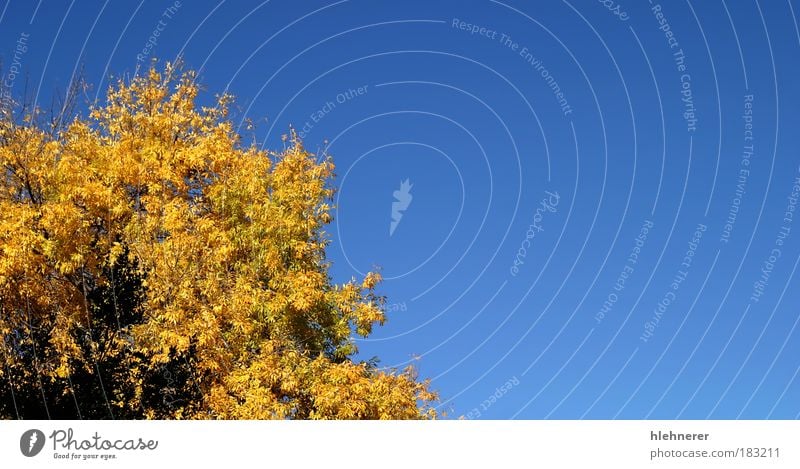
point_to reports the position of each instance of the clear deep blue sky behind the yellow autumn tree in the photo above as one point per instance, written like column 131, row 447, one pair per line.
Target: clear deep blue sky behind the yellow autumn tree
column 595, row 220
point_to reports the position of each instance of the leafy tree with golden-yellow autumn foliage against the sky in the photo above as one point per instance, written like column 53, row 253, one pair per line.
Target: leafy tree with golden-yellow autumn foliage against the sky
column 152, row 265
